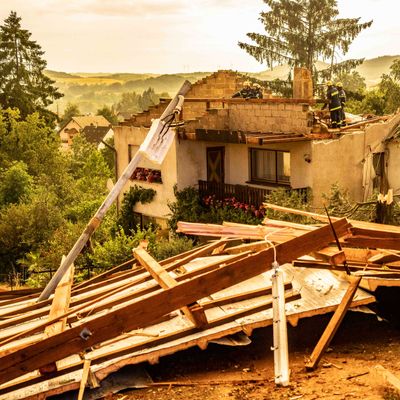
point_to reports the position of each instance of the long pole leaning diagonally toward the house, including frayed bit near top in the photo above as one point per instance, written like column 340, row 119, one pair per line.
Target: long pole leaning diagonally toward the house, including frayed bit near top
column 152, row 144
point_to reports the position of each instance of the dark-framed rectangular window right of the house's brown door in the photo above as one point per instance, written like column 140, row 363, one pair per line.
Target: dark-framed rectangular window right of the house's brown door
column 270, row 166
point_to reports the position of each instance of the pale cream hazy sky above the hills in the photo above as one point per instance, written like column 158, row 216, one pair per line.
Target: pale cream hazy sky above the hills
column 166, row 36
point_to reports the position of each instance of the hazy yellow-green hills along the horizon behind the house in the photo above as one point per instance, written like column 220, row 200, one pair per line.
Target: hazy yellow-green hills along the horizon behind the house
column 90, row 91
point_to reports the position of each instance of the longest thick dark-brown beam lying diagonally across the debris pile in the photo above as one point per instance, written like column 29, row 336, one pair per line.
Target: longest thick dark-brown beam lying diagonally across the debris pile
column 135, row 315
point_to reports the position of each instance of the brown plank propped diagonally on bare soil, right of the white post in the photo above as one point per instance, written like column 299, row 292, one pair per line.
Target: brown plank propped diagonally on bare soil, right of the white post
column 333, row 324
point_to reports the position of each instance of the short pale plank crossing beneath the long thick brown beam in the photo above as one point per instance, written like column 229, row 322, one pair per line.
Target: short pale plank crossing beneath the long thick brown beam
column 195, row 312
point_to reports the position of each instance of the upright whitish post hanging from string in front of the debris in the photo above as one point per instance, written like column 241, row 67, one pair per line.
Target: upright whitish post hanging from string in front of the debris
column 280, row 348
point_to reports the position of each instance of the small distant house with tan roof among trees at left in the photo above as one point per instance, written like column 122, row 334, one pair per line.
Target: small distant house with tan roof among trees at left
column 77, row 124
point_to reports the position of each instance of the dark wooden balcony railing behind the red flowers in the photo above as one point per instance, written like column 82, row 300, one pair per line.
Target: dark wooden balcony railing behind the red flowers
column 242, row 193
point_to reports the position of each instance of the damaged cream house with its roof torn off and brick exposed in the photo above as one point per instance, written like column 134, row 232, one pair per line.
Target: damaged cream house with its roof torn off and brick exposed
column 244, row 148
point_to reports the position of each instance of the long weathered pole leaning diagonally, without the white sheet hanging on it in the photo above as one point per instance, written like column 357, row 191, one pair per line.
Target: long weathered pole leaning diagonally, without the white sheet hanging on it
column 99, row 215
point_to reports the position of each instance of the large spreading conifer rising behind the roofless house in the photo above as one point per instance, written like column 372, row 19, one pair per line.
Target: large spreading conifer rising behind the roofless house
column 301, row 32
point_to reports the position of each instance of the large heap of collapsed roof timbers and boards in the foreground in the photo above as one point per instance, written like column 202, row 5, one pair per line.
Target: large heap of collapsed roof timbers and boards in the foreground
column 144, row 309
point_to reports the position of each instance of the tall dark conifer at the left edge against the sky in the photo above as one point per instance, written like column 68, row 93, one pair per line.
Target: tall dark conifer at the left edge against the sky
column 23, row 84
